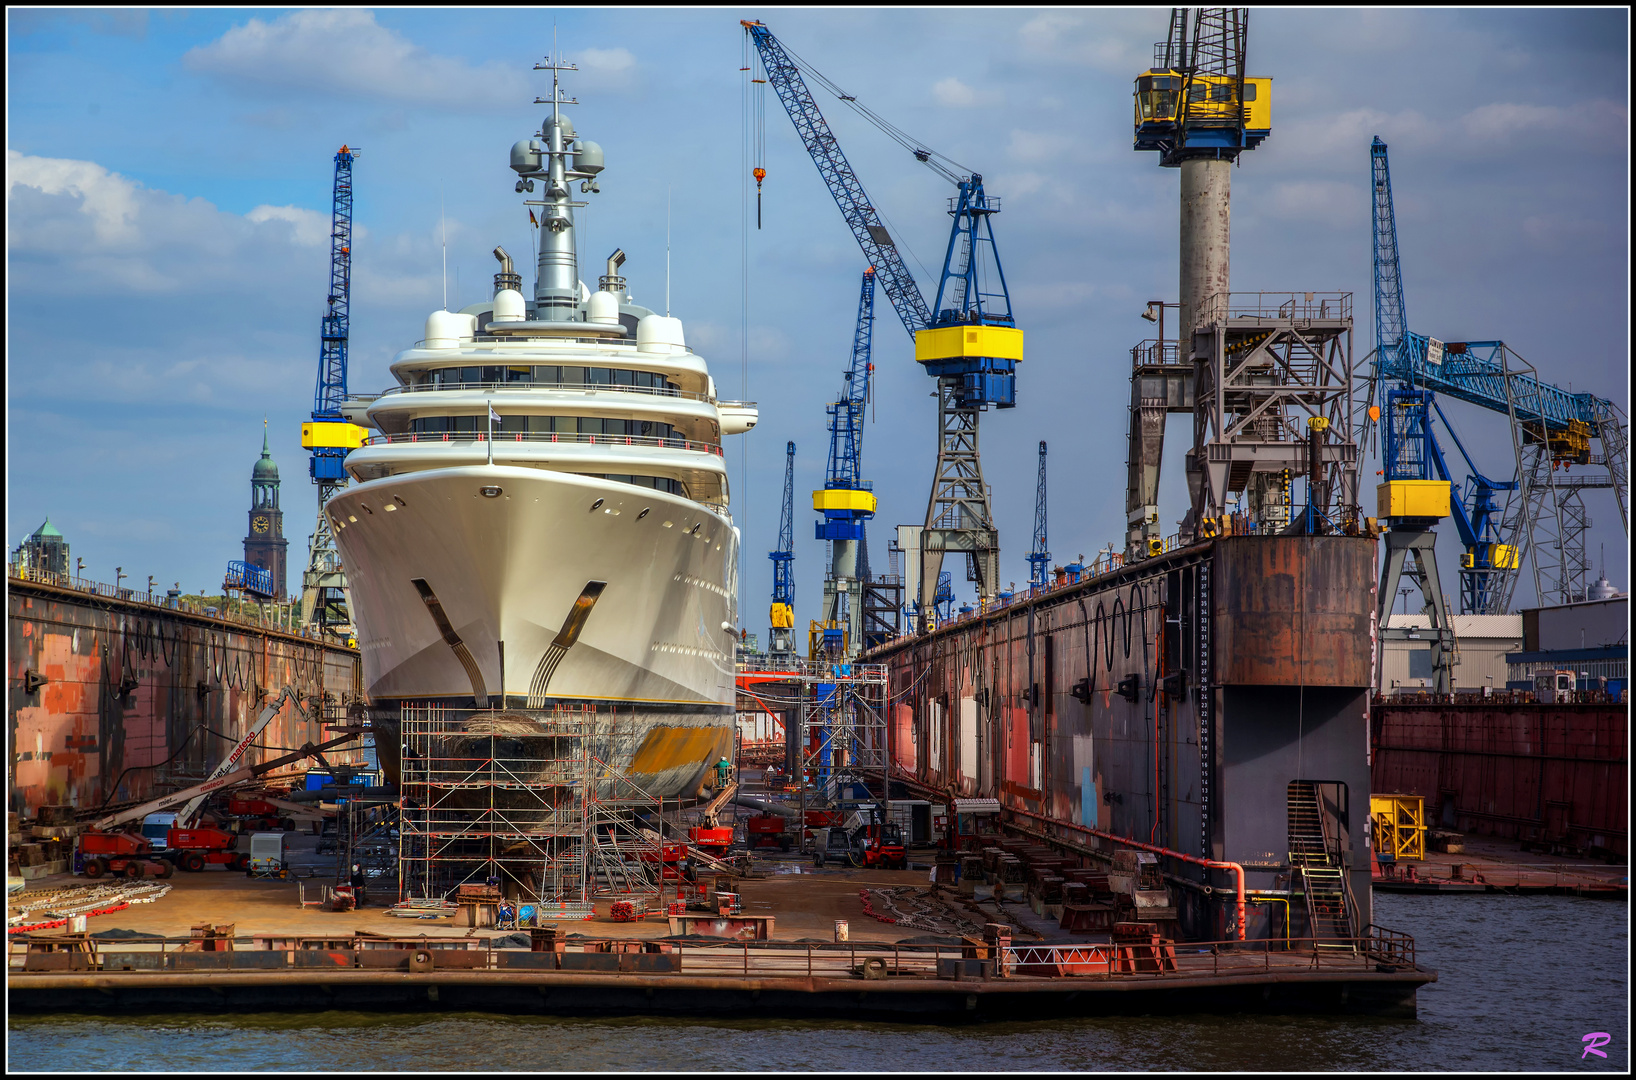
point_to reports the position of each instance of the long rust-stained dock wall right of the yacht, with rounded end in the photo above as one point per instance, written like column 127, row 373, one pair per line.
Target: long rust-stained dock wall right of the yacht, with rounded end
column 1169, row 701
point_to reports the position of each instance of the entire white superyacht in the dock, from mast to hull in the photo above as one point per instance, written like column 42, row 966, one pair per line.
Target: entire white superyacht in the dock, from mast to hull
column 542, row 518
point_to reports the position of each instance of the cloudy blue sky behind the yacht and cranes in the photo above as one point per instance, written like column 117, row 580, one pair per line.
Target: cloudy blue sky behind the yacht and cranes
column 169, row 192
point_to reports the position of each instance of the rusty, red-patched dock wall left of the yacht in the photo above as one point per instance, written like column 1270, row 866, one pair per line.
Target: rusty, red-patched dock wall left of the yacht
column 106, row 695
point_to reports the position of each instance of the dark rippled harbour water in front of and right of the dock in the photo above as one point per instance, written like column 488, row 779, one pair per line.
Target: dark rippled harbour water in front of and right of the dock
column 1521, row 983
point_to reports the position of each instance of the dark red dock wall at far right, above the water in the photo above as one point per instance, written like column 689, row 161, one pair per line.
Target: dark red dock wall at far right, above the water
column 1540, row 773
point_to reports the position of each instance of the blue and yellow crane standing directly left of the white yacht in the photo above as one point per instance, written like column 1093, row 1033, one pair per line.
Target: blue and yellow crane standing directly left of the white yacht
column 330, row 436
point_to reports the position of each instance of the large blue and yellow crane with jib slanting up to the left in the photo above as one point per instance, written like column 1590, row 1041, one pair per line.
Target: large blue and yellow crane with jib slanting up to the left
column 966, row 340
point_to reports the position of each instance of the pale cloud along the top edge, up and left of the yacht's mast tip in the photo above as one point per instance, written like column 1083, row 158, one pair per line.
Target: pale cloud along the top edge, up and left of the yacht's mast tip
column 346, row 52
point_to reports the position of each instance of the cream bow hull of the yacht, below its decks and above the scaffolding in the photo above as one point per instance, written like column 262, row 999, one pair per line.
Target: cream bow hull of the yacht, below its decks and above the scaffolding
column 557, row 590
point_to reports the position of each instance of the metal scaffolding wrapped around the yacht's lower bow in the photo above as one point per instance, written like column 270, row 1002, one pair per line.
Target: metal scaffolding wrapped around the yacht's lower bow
column 531, row 801
